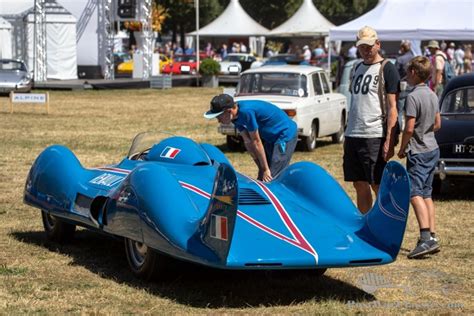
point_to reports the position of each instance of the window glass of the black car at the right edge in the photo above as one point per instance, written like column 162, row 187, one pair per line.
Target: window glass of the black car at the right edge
column 459, row 101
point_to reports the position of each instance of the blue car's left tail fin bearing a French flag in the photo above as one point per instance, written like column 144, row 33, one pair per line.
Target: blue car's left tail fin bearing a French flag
column 217, row 226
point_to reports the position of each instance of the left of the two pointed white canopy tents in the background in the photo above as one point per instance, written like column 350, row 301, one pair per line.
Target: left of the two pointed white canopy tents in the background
column 235, row 22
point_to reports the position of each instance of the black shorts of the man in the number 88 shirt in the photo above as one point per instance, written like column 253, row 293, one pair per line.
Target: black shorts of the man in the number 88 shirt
column 363, row 159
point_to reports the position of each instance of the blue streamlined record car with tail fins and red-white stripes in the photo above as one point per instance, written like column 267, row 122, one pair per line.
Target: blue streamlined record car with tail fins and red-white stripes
column 177, row 198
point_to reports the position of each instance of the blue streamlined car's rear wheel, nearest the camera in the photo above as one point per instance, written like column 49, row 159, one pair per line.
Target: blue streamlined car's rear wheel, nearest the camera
column 144, row 262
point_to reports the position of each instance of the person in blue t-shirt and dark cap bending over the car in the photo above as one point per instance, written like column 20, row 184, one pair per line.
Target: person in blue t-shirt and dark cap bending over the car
column 269, row 135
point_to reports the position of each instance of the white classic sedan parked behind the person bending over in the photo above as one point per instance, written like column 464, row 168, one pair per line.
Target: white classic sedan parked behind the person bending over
column 303, row 92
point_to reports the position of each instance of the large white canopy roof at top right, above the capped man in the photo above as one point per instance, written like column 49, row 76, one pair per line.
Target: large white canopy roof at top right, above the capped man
column 396, row 20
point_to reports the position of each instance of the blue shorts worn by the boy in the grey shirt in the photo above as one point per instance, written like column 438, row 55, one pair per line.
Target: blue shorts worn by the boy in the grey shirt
column 421, row 169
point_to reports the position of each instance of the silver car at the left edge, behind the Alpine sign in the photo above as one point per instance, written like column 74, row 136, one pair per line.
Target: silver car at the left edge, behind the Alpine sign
column 14, row 76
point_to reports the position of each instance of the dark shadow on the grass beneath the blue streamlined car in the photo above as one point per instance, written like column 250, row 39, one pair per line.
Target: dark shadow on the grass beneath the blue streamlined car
column 199, row 286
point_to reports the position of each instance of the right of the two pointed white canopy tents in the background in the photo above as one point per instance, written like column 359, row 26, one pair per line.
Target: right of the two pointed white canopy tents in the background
column 307, row 21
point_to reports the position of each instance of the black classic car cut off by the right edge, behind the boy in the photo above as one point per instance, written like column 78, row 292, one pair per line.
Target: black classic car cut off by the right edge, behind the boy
column 456, row 136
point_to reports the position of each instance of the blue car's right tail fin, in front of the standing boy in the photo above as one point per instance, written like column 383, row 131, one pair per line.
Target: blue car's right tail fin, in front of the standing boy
column 385, row 223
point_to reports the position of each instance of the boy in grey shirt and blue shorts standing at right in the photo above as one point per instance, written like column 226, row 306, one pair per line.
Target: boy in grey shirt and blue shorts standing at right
column 421, row 149
